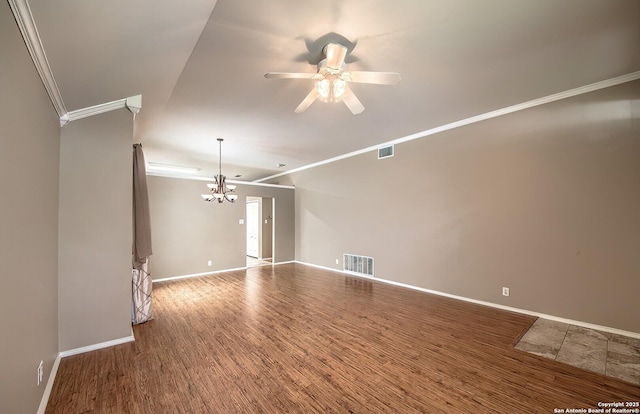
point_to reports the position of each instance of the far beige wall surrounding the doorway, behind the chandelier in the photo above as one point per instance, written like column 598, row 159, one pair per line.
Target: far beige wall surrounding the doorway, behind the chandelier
column 187, row 232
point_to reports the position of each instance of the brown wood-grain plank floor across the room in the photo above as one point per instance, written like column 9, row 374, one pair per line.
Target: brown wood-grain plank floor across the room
column 293, row 338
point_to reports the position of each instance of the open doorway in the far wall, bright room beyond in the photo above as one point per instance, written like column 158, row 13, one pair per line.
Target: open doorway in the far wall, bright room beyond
column 260, row 230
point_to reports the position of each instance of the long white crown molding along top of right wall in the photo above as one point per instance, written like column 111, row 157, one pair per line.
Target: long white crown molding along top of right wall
column 629, row 77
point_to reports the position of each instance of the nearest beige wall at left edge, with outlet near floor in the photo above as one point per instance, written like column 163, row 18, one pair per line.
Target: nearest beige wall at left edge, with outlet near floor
column 29, row 154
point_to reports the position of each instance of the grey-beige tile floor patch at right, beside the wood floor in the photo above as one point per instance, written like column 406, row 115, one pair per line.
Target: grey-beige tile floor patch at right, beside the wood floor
column 605, row 353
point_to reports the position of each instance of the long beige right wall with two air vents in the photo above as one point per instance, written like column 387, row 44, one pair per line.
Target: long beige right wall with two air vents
column 544, row 201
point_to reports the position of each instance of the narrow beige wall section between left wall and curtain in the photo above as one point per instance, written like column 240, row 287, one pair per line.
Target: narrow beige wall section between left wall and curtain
column 95, row 230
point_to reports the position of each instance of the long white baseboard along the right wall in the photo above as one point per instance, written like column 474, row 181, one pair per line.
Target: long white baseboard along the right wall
column 490, row 304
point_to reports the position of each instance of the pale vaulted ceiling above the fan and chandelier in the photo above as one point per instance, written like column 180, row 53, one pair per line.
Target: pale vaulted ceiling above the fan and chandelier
column 199, row 65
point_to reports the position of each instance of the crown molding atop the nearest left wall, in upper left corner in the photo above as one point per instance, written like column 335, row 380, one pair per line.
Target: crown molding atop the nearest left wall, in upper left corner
column 29, row 31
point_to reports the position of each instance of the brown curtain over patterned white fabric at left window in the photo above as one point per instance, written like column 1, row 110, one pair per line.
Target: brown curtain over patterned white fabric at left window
column 142, row 285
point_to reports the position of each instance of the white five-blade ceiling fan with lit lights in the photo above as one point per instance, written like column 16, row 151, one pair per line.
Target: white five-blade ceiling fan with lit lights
column 332, row 80
